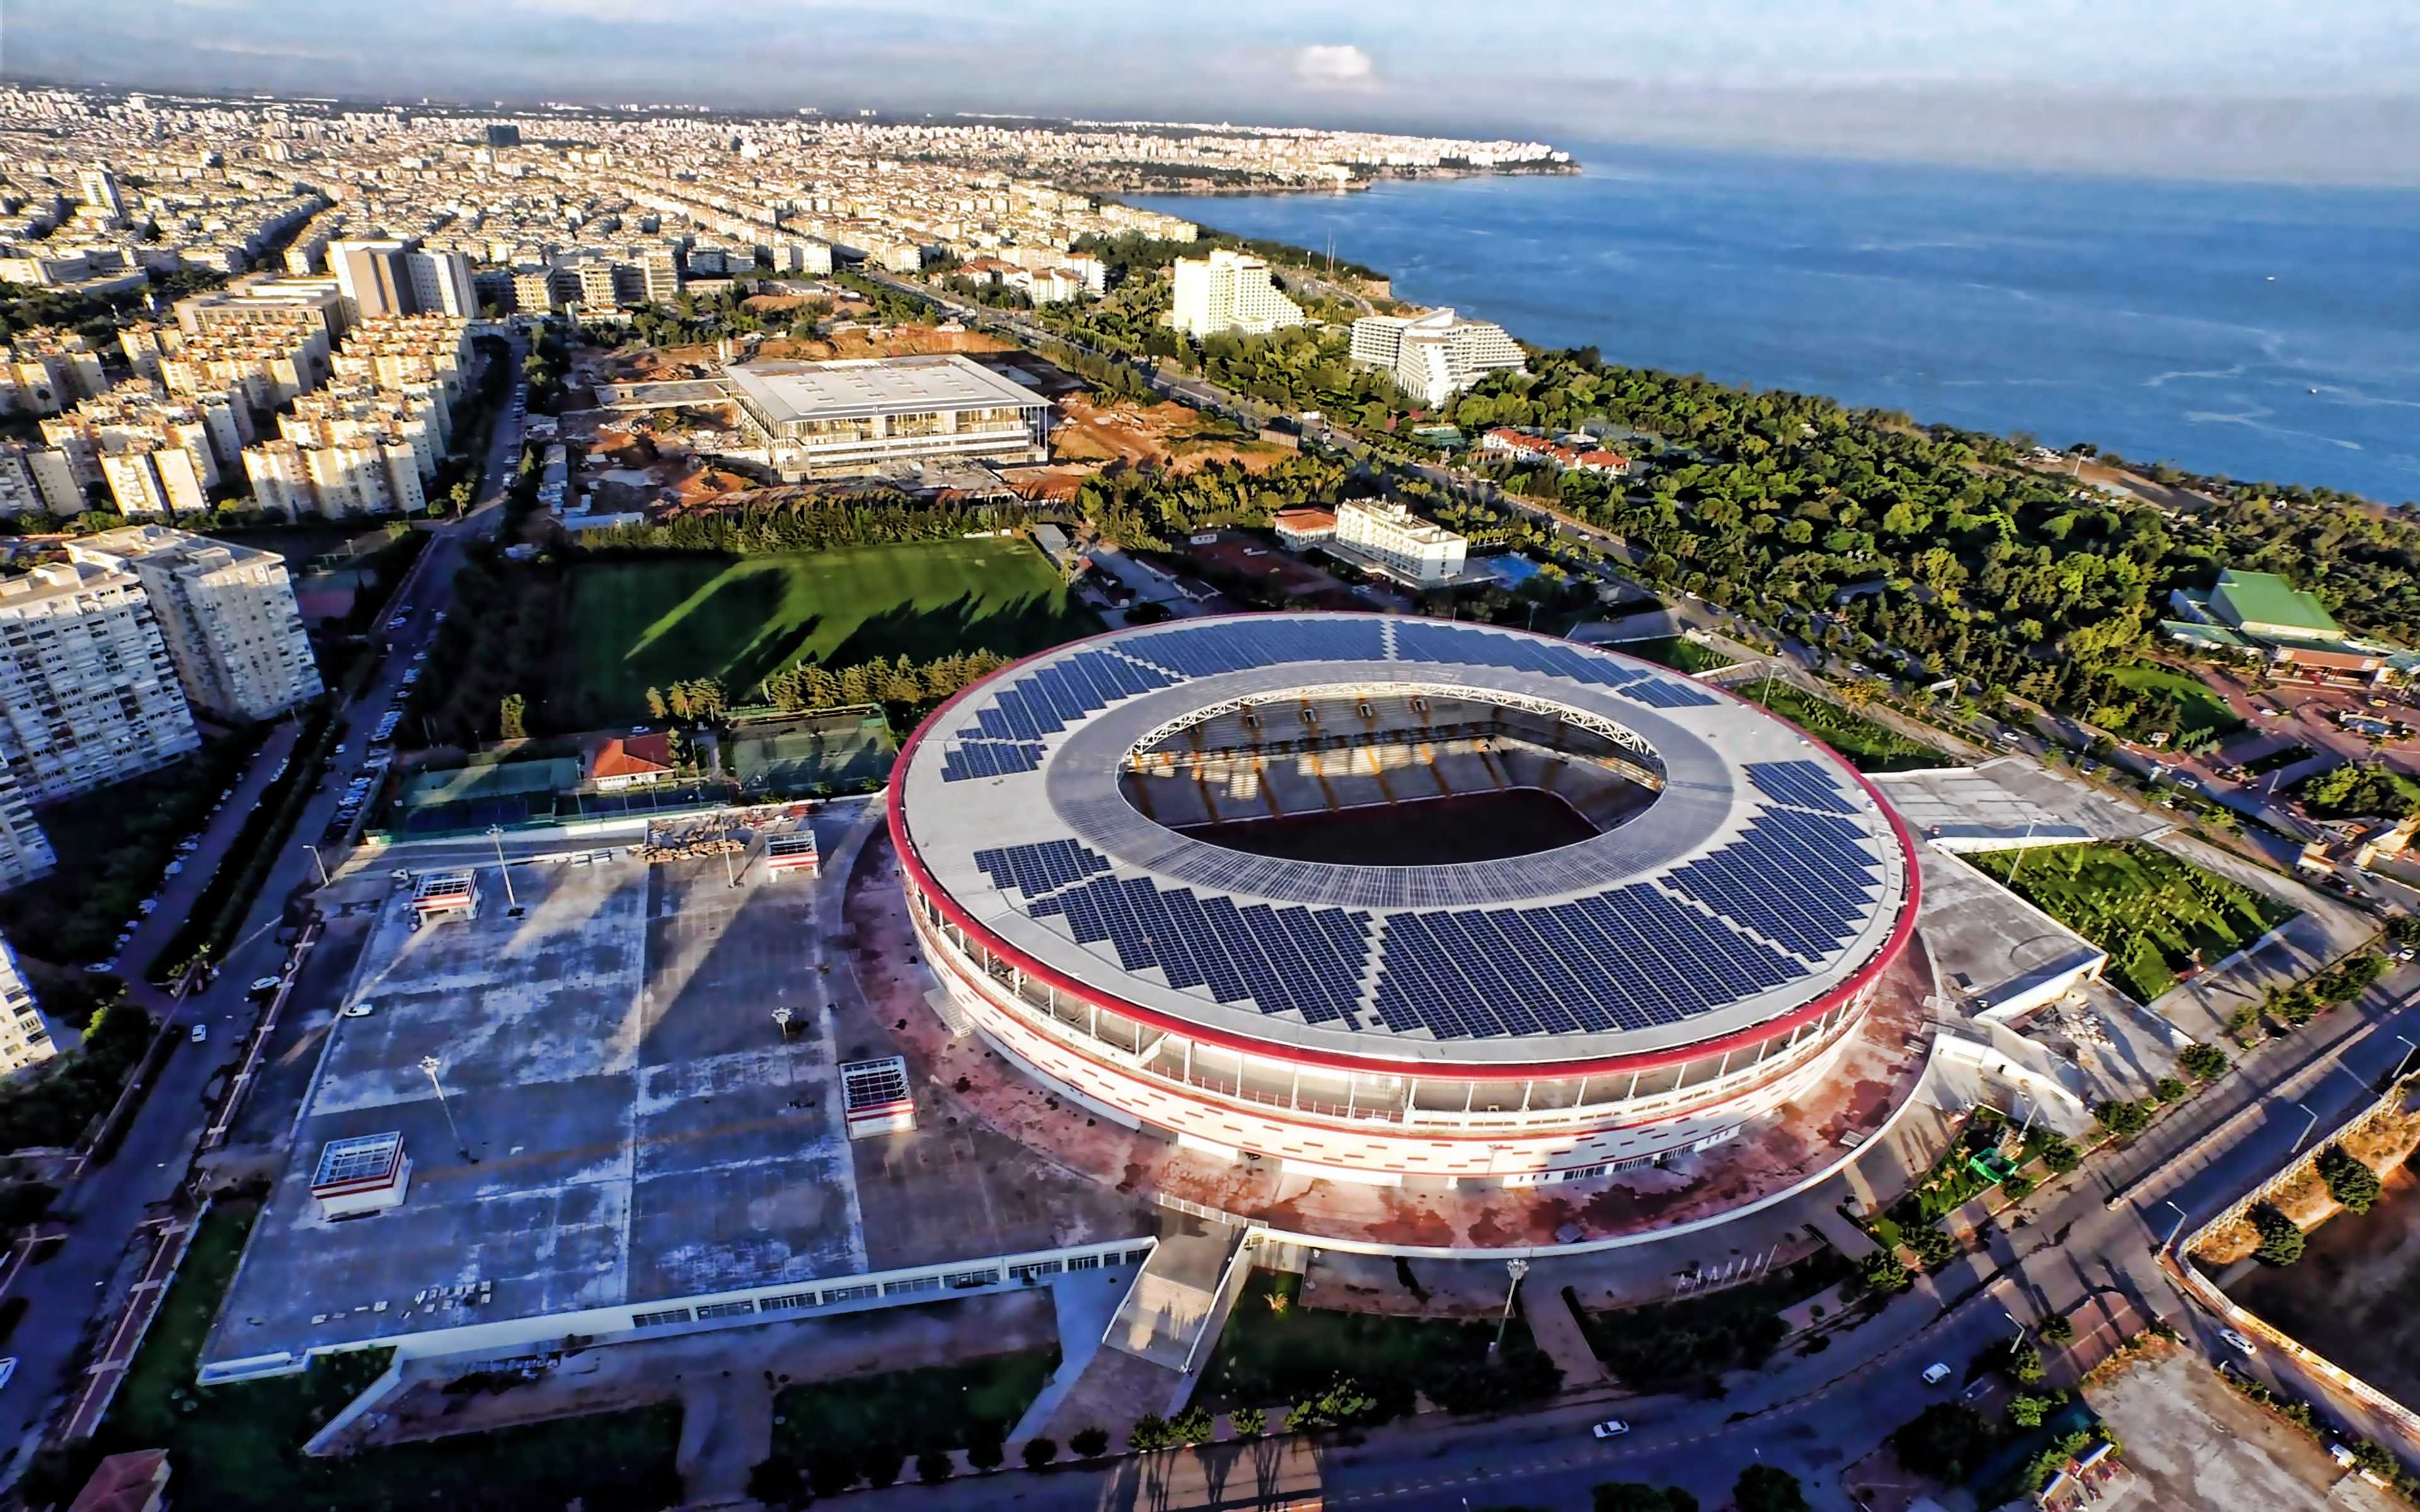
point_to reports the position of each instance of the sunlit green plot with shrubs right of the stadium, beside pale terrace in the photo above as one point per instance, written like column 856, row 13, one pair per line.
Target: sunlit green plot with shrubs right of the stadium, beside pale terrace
column 2143, row 906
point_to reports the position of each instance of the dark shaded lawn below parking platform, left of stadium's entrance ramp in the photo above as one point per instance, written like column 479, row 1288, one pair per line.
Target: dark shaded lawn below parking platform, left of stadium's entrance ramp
column 911, row 1409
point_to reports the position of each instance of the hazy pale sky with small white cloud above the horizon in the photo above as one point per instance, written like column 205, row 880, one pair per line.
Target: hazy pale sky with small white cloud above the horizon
column 2324, row 91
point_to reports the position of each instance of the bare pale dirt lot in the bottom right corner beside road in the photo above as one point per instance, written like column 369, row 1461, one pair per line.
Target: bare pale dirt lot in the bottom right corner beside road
column 2201, row 1445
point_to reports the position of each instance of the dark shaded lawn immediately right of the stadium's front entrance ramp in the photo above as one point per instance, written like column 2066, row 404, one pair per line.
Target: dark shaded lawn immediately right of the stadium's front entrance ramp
column 1279, row 1351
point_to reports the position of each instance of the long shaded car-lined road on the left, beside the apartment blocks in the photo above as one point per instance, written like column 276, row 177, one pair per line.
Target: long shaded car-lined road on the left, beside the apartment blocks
column 105, row 1206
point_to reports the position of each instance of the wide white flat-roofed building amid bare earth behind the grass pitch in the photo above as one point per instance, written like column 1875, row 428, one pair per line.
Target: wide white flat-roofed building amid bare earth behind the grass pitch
column 834, row 420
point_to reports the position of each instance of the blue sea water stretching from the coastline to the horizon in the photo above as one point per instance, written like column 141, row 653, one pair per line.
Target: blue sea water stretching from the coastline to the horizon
column 2254, row 330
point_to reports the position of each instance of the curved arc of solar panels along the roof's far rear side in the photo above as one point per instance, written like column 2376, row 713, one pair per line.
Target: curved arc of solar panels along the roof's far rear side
column 1064, row 693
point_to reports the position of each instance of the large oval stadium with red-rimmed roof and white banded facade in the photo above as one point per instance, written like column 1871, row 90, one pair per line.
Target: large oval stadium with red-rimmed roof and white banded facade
column 1376, row 899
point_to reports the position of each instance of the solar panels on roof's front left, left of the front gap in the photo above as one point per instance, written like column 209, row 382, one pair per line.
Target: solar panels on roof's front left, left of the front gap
column 1281, row 959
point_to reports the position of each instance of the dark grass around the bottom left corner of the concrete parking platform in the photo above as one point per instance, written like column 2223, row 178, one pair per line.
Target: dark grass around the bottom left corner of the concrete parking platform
column 241, row 1448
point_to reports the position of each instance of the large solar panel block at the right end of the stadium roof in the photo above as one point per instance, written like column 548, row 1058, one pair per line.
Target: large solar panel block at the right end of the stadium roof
column 1799, row 879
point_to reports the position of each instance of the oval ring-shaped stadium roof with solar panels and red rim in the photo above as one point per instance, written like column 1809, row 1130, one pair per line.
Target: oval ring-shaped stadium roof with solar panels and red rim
column 1763, row 884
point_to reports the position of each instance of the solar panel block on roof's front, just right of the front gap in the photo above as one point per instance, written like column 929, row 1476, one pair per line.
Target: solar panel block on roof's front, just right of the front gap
column 1623, row 959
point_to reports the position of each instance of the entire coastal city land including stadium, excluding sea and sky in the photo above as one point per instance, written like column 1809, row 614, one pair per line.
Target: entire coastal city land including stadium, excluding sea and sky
column 718, row 812
